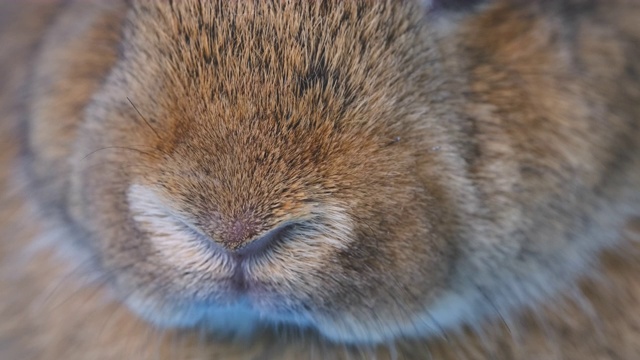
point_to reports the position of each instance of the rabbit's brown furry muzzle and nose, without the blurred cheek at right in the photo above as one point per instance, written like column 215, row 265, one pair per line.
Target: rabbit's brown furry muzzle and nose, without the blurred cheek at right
column 298, row 189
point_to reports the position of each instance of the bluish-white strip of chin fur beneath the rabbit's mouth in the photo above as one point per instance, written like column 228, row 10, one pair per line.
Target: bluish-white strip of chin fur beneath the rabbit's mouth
column 243, row 321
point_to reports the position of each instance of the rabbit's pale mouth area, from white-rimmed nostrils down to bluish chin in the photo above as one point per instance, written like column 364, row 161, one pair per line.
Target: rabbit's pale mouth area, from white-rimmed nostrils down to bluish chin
column 278, row 278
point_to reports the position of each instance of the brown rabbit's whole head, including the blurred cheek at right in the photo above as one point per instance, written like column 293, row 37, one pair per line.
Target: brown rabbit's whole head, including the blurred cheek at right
column 357, row 168
